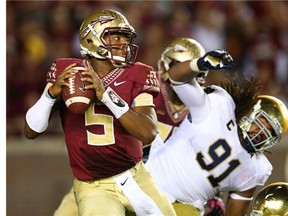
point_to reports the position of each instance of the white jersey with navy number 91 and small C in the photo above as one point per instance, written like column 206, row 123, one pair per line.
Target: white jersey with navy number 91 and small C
column 205, row 156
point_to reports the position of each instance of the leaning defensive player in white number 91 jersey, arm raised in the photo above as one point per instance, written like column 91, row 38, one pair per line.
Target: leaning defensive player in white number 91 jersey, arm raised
column 220, row 145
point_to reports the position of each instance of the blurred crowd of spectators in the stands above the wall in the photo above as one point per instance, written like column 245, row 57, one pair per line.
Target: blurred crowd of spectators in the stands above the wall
column 254, row 32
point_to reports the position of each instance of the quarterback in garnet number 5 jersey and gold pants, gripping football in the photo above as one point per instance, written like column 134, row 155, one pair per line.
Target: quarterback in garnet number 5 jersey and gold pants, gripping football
column 105, row 142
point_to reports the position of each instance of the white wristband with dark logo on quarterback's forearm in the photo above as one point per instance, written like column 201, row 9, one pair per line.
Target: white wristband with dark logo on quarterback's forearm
column 114, row 102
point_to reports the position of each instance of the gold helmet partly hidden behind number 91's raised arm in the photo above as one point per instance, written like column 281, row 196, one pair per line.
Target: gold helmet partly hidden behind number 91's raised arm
column 179, row 50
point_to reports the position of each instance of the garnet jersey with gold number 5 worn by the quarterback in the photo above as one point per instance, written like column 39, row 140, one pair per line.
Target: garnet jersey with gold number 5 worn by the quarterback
column 98, row 145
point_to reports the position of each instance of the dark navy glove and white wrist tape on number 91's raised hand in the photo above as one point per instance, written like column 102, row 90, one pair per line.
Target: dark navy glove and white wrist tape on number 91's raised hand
column 214, row 60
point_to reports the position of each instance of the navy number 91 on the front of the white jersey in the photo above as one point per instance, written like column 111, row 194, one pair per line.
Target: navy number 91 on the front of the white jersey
column 217, row 159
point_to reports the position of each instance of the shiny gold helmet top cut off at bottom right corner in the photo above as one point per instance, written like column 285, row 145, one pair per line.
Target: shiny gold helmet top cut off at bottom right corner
column 271, row 200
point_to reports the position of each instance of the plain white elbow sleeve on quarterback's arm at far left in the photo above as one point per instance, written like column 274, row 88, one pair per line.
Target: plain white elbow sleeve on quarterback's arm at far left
column 37, row 117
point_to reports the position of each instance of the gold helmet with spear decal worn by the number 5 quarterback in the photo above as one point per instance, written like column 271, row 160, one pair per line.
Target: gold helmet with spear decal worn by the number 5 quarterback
column 104, row 23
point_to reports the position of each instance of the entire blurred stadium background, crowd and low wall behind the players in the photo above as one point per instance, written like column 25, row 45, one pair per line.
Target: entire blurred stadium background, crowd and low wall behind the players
column 37, row 32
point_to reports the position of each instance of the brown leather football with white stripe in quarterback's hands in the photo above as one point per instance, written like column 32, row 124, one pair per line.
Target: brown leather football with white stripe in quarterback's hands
column 76, row 97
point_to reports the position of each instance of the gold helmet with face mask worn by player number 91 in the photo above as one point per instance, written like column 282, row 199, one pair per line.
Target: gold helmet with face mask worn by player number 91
column 275, row 113
